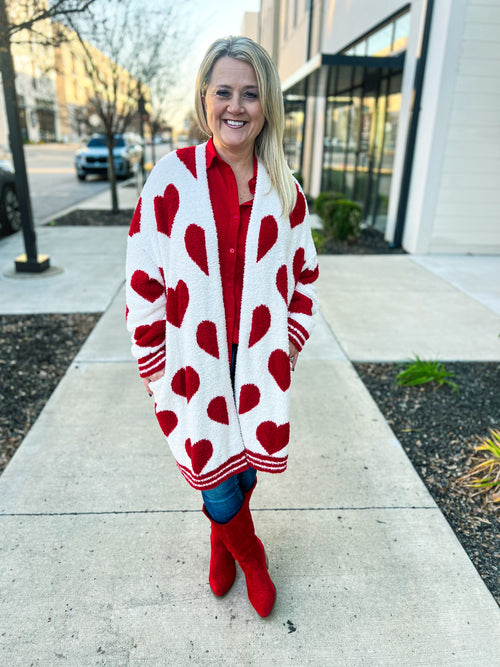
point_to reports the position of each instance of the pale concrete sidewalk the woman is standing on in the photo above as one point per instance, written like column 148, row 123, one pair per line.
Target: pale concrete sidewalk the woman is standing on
column 104, row 551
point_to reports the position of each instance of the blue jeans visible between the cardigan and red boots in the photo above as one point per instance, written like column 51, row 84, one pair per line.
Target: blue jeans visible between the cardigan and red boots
column 225, row 500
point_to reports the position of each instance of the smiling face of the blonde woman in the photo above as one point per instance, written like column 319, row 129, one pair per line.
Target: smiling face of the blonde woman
column 233, row 109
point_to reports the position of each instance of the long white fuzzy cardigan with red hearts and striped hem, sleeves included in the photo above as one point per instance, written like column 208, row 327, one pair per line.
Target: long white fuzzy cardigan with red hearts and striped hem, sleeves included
column 175, row 313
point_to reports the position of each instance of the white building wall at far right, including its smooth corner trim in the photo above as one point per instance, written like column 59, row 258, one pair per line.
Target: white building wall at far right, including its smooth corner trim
column 454, row 196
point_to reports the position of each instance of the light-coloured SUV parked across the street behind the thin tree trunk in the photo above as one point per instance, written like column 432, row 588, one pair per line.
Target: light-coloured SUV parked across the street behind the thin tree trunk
column 93, row 158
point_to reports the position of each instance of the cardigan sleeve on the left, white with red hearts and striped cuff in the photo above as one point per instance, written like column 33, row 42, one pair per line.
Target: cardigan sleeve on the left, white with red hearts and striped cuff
column 145, row 290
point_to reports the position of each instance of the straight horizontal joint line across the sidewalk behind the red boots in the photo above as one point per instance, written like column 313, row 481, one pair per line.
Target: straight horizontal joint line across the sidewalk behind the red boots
column 196, row 511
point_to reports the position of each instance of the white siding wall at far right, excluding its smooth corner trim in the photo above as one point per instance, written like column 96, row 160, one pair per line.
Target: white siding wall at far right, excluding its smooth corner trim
column 467, row 214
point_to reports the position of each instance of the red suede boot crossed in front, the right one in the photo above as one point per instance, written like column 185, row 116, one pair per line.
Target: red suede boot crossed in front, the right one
column 240, row 539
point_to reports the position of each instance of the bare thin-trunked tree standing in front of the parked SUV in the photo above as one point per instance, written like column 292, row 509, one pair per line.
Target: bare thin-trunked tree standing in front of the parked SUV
column 140, row 42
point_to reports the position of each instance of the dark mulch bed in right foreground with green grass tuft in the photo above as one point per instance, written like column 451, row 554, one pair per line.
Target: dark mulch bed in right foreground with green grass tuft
column 438, row 430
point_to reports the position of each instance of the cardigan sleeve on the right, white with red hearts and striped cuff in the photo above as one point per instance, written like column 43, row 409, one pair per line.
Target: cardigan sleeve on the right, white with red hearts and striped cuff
column 303, row 304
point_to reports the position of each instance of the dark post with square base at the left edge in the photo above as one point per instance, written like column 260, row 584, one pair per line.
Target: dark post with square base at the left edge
column 31, row 261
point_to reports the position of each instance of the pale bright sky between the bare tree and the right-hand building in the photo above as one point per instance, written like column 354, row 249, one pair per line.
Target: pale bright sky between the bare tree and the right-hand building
column 219, row 19
